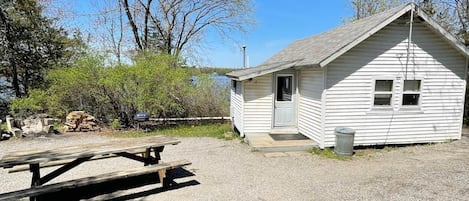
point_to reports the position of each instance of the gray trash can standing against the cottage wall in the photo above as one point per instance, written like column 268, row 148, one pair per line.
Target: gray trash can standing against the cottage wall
column 344, row 141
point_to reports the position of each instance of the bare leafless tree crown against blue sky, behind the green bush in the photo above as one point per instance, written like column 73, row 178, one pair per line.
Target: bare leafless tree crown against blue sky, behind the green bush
column 171, row 25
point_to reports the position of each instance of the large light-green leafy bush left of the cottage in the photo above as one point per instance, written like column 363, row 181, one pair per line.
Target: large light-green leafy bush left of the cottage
column 153, row 84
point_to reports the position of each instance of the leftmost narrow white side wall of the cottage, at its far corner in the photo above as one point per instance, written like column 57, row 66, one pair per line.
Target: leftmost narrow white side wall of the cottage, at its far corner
column 236, row 106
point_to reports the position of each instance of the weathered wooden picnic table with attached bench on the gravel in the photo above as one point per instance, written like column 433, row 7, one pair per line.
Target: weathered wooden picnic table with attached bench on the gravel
column 138, row 149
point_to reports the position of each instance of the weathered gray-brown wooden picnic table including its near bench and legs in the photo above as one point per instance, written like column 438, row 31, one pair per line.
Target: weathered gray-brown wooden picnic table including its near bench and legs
column 139, row 149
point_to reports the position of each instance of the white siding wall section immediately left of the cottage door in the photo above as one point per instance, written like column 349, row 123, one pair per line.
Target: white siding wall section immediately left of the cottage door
column 258, row 104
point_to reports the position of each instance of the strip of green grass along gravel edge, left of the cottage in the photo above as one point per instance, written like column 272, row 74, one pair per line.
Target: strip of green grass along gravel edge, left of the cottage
column 208, row 130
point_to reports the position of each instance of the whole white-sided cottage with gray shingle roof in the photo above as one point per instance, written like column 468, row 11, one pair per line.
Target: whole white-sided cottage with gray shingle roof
column 396, row 77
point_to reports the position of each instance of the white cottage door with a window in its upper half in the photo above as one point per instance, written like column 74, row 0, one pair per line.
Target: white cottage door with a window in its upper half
column 284, row 107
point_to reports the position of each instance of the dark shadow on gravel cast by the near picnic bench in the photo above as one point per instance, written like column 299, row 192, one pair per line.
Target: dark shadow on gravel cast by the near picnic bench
column 94, row 190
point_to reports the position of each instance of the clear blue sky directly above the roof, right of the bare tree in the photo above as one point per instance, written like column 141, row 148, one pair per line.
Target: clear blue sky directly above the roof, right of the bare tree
column 280, row 22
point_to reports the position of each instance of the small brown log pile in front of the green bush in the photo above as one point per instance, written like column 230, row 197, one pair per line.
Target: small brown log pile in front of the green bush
column 81, row 121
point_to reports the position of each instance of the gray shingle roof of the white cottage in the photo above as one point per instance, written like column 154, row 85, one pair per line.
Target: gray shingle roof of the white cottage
column 319, row 50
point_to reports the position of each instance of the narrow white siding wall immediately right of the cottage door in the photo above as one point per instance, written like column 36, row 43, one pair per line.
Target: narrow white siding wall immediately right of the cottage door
column 311, row 85
